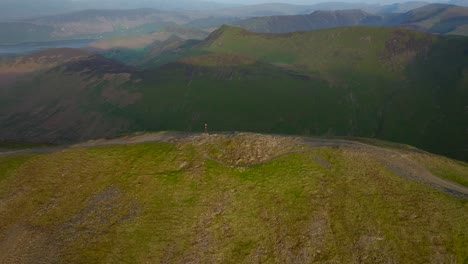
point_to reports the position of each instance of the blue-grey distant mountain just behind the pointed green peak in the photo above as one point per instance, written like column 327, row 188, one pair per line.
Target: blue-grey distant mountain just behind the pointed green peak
column 313, row 21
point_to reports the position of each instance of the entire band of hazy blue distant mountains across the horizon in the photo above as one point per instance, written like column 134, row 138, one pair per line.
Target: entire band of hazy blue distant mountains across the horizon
column 104, row 24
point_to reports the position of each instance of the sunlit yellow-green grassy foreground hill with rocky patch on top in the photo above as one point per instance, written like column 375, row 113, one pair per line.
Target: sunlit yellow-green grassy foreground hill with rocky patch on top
column 228, row 199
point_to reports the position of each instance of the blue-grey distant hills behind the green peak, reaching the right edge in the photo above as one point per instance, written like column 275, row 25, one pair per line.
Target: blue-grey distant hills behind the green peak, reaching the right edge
column 433, row 18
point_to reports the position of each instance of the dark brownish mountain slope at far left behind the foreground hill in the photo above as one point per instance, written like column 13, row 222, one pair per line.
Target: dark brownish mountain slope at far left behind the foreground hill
column 65, row 101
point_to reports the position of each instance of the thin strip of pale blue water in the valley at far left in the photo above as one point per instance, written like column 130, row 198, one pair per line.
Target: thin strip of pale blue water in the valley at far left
column 37, row 46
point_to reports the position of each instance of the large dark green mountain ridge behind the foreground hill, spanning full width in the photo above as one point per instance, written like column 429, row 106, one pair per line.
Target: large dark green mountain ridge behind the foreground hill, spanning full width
column 394, row 84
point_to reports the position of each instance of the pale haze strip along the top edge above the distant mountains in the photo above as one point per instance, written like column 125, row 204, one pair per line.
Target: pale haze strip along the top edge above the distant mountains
column 23, row 9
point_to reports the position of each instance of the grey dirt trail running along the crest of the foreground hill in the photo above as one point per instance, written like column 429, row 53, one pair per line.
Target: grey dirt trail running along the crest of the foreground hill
column 394, row 160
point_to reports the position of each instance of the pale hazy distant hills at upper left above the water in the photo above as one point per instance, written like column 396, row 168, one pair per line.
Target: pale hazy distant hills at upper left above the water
column 89, row 24
